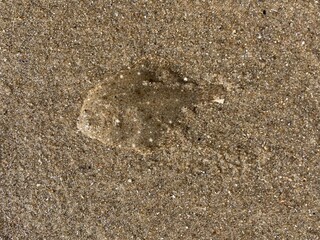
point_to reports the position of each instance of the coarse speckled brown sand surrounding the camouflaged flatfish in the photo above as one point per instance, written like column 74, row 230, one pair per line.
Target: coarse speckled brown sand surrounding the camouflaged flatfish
column 249, row 171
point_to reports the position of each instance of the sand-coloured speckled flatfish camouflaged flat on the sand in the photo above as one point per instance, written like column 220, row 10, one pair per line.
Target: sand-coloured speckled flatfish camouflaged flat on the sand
column 137, row 107
